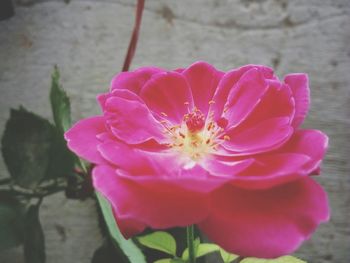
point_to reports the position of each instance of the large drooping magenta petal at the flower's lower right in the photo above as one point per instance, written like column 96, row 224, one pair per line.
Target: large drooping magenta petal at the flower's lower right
column 266, row 224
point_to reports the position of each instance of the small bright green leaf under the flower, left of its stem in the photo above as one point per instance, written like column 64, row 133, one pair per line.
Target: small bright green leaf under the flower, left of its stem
column 161, row 241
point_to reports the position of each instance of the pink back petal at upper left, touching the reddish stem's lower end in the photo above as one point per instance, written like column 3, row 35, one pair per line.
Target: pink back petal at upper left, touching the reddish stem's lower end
column 134, row 80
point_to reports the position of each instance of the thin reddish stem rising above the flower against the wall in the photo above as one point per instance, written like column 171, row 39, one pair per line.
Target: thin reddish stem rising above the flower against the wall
column 135, row 35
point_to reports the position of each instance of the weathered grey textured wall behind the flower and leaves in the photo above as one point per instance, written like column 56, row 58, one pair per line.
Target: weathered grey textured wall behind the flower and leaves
column 88, row 39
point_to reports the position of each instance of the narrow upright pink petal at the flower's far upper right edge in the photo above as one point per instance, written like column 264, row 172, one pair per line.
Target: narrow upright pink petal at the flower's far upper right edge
column 299, row 84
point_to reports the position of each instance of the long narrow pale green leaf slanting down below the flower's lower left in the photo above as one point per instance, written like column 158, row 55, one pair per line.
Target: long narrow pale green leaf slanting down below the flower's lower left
column 132, row 252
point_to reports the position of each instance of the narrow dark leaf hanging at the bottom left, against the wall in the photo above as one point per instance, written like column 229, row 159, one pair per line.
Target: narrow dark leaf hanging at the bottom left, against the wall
column 34, row 240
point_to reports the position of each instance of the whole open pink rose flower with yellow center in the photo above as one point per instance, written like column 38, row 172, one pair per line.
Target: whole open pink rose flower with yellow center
column 222, row 150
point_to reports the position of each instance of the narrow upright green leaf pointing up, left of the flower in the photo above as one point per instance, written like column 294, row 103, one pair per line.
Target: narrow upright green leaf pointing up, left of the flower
column 60, row 103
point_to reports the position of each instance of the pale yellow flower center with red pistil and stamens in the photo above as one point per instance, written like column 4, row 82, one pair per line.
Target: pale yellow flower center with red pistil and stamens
column 196, row 137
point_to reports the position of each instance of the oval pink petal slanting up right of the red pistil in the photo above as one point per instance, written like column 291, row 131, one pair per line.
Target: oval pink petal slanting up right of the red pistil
column 244, row 97
